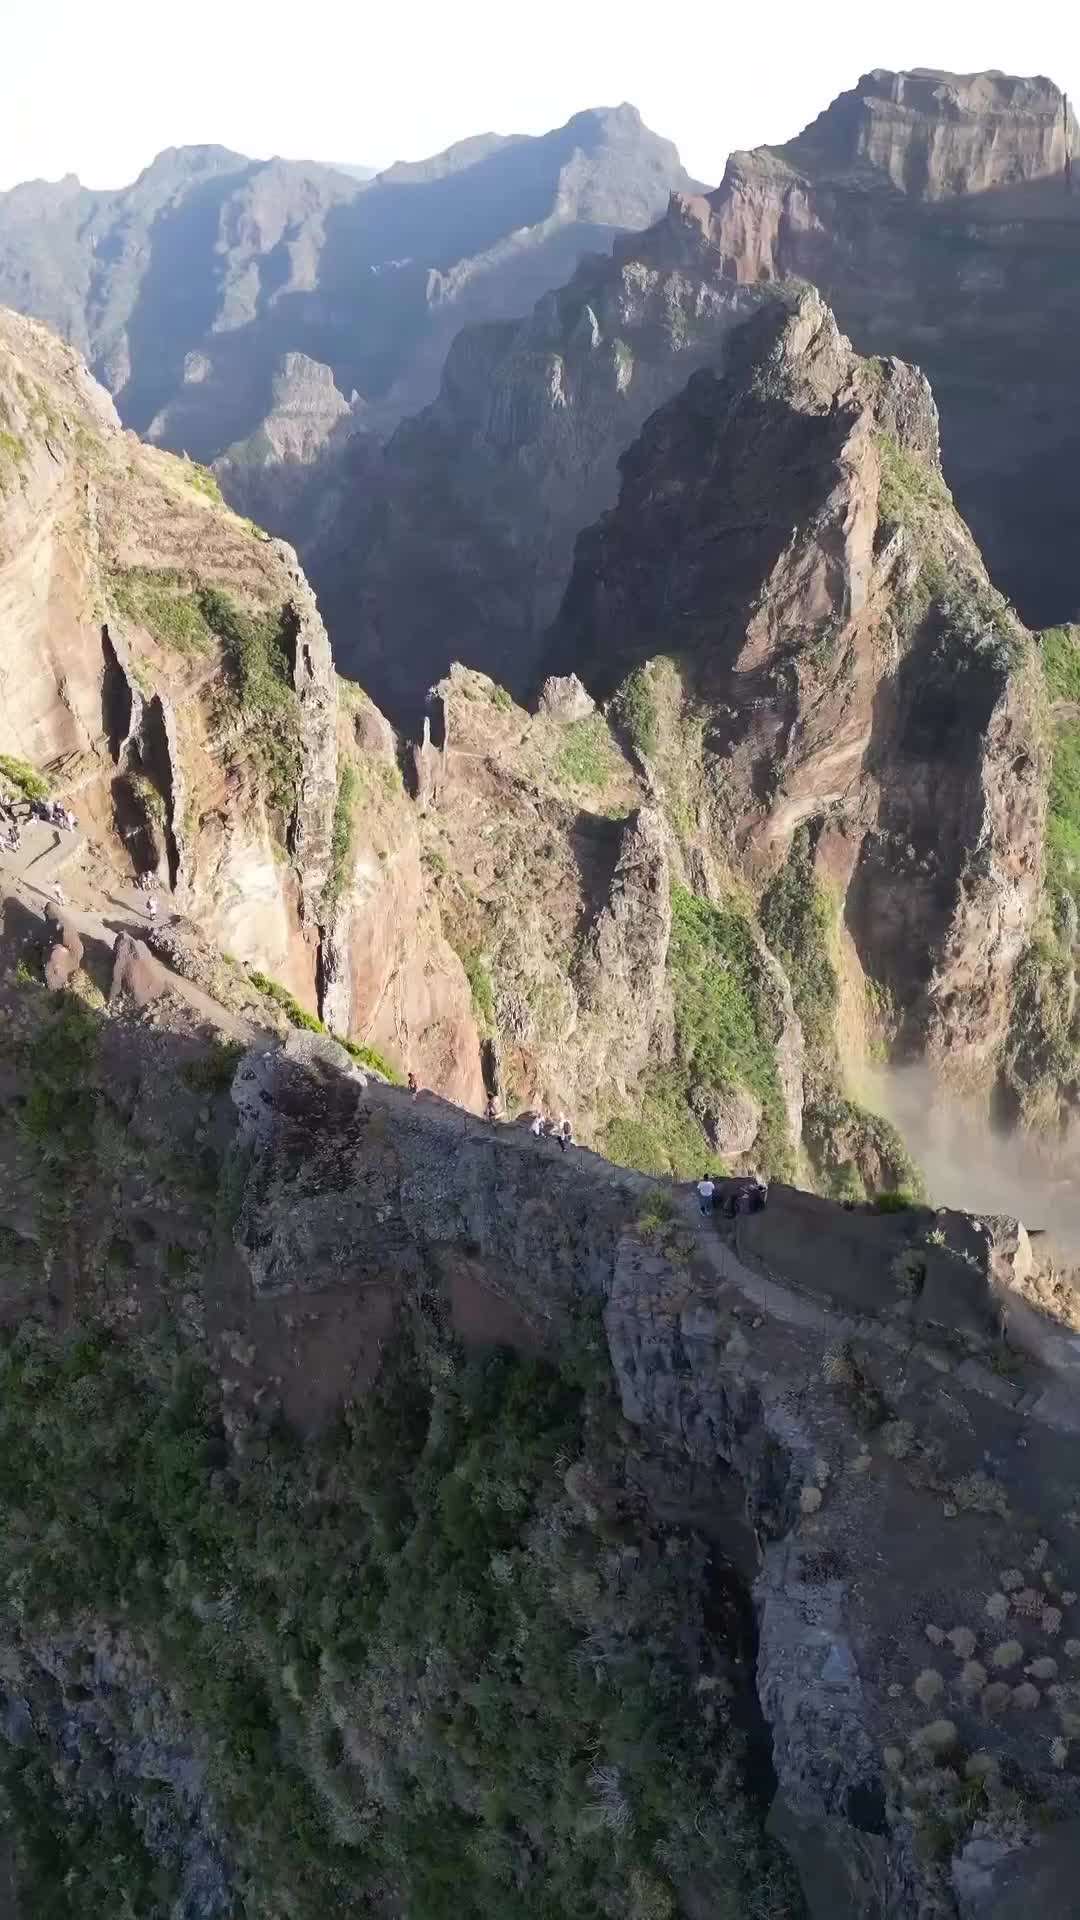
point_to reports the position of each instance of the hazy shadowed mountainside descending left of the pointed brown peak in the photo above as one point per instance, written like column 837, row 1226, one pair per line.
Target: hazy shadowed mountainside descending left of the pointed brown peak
column 456, row 540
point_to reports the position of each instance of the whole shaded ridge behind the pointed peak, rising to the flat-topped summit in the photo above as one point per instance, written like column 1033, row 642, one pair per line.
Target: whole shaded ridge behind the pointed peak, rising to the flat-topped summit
column 933, row 216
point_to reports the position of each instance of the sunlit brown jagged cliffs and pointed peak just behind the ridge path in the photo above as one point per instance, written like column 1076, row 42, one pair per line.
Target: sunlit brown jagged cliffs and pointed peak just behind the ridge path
column 810, row 688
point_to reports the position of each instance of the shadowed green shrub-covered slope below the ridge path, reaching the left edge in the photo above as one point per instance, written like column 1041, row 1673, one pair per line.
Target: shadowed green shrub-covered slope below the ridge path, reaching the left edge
column 439, row 1660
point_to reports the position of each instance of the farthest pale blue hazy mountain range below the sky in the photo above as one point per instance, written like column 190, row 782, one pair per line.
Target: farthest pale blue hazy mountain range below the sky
column 187, row 289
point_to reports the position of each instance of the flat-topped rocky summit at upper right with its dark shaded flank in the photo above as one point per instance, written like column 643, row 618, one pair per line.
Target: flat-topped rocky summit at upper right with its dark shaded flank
column 933, row 214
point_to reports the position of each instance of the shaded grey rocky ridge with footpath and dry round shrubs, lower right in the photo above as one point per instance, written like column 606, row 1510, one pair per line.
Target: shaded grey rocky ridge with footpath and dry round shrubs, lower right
column 825, row 1387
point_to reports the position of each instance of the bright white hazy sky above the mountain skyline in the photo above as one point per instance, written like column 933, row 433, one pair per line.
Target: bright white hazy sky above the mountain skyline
column 101, row 89
